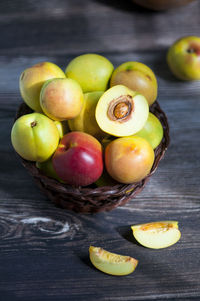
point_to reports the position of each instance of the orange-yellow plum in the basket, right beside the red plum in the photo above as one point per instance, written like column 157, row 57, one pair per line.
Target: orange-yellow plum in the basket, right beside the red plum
column 129, row 159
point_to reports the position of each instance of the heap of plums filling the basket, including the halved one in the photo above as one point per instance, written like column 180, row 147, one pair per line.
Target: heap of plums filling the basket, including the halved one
column 90, row 124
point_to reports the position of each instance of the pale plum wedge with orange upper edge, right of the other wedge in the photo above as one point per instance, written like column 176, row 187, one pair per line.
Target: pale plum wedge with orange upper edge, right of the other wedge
column 157, row 235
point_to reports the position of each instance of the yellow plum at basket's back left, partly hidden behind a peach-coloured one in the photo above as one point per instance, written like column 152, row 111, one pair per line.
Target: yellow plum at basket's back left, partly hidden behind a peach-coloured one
column 32, row 79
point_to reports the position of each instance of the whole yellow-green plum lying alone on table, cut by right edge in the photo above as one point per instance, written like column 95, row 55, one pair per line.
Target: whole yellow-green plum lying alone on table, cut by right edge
column 183, row 58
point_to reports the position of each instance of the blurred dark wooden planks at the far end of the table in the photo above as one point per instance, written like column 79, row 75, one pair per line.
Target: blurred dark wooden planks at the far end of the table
column 80, row 26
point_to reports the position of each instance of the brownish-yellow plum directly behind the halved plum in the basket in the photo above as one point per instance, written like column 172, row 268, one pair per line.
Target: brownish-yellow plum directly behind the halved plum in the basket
column 137, row 77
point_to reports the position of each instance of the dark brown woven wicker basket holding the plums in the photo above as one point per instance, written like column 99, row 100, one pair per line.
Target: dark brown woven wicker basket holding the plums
column 94, row 199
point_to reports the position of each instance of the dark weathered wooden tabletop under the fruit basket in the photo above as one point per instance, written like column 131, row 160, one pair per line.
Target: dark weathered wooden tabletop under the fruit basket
column 44, row 249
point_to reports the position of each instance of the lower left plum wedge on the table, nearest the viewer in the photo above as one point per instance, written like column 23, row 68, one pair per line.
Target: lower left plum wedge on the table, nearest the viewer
column 111, row 263
